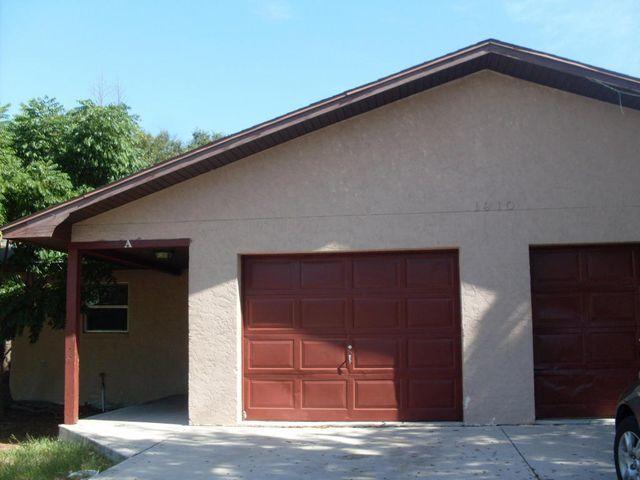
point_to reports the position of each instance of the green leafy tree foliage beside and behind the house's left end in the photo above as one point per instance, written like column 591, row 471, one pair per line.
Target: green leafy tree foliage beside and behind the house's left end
column 48, row 155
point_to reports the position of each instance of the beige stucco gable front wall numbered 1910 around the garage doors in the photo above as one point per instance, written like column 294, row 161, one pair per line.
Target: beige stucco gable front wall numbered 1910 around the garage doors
column 434, row 170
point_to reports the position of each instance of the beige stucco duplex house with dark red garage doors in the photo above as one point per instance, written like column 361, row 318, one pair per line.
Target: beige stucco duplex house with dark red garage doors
column 457, row 241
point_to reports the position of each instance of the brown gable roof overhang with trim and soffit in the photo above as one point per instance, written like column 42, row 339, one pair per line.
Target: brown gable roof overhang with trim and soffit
column 52, row 227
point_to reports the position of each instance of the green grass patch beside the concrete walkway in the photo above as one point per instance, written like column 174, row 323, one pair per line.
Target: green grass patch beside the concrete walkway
column 48, row 459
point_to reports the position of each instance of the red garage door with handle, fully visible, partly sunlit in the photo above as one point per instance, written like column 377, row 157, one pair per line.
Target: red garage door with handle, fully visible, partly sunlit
column 352, row 337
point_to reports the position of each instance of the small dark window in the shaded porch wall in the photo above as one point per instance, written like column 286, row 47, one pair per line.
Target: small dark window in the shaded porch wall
column 111, row 312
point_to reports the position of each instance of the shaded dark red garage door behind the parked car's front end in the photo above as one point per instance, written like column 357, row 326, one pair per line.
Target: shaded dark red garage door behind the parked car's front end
column 585, row 325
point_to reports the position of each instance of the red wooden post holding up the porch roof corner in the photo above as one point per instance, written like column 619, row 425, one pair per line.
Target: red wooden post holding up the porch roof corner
column 71, row 354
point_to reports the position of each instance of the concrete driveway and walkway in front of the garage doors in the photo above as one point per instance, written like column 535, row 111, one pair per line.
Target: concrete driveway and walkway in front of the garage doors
column 159, row 449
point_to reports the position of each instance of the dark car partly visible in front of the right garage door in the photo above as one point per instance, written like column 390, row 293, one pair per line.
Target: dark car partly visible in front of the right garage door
column 626, row 449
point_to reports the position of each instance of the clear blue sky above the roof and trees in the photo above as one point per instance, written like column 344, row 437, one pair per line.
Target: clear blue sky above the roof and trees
column 225, row 66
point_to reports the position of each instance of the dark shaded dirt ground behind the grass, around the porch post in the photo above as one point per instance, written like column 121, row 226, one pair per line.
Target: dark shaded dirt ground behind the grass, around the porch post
column 35, row 420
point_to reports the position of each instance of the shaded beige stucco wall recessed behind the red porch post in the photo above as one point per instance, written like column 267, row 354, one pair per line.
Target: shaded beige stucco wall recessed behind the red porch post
column 148, row 362
